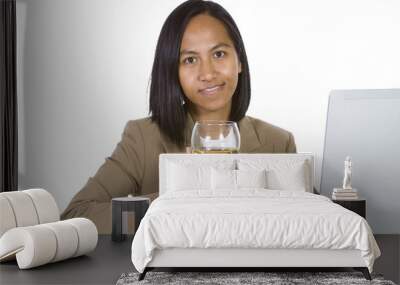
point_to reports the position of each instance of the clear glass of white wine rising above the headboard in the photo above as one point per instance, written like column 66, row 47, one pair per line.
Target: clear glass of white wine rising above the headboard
column 213, row 136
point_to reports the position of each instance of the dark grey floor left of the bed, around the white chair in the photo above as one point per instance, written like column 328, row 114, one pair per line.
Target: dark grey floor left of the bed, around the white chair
column 104, row 265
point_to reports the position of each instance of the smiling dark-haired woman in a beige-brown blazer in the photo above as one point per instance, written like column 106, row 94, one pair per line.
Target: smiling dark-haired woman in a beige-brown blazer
column 200, row 72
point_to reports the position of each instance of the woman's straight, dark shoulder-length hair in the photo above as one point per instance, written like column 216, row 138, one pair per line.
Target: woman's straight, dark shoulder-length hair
column 166, row 94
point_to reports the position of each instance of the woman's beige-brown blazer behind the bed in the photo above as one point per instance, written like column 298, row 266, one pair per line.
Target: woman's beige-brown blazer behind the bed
column 133, row 166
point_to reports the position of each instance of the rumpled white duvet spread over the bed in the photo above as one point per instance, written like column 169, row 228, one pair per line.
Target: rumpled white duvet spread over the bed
column 251, row 218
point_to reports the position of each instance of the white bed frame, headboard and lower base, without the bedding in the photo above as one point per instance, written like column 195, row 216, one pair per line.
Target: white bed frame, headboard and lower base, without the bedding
column 250, row 259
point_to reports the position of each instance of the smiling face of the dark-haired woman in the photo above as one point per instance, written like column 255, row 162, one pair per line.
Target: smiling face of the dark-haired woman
column 209, row 66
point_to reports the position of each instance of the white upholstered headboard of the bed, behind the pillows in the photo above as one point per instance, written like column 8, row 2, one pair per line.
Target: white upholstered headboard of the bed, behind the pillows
column 236, row 160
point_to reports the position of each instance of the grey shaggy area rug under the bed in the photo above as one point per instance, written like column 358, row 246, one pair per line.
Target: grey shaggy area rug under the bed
column 228, row 278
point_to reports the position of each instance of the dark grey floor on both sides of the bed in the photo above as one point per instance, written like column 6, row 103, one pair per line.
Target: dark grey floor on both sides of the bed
column 110, row 259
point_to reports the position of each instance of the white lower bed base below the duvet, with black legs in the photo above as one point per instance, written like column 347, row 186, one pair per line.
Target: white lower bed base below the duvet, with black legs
column 234, row 259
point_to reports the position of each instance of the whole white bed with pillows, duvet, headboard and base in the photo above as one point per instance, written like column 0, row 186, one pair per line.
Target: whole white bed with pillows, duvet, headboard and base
column 247, row 211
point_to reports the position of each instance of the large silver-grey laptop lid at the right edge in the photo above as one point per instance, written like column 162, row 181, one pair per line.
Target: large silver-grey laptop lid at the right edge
column 365, row 125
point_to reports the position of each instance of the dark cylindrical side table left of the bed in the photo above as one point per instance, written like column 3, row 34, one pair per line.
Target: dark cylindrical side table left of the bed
column 138, row 205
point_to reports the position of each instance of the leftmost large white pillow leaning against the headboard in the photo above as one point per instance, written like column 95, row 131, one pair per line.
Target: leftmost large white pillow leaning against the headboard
column 181, row 177
